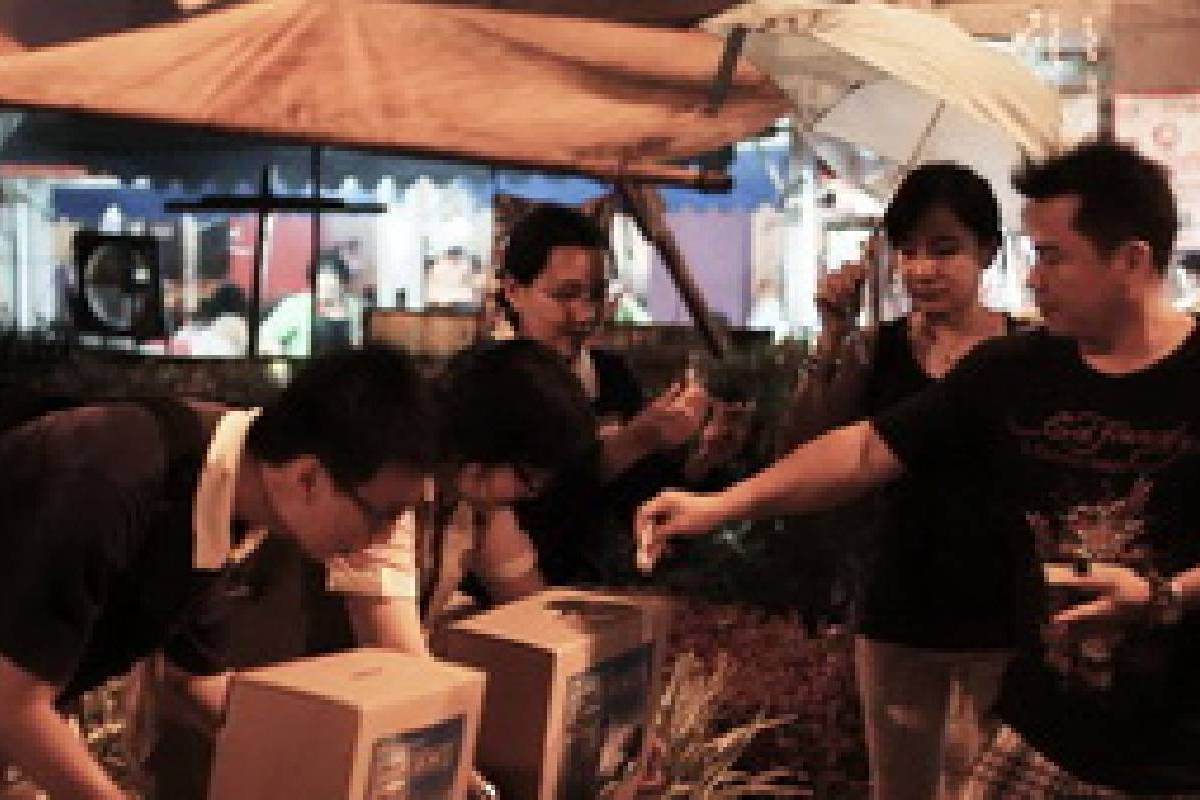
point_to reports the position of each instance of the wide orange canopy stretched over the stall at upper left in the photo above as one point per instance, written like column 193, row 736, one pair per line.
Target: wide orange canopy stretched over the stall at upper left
column 526, row 91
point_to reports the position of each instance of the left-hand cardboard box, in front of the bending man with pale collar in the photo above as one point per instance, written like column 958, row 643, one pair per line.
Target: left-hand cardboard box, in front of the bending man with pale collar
column 364, row 725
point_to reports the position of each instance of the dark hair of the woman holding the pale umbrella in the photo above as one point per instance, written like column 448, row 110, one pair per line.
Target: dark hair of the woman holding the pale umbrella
column 943, row 185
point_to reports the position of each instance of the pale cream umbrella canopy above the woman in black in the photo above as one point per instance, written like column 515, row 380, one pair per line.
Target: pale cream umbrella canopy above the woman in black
column 908, row 86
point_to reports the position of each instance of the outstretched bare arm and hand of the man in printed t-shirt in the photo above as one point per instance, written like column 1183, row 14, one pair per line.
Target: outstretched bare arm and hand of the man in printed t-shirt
column 835, row 468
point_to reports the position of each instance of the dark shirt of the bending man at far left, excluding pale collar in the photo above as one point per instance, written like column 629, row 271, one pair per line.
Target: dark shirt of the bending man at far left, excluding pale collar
column 97, row 532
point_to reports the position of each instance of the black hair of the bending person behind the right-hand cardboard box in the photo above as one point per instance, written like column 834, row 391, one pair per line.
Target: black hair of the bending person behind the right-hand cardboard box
column 514, row 404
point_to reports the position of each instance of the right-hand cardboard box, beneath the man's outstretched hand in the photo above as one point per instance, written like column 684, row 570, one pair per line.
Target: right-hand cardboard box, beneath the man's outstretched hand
column 572, row 687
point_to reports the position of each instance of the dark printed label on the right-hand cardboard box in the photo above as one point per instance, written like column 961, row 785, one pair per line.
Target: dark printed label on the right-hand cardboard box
column 605, row 713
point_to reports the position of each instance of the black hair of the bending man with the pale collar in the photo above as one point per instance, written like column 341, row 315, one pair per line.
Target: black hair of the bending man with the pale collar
column 356, row 411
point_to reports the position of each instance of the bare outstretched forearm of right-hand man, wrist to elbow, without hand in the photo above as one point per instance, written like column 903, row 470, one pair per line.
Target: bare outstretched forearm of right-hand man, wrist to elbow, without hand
column 835, row 468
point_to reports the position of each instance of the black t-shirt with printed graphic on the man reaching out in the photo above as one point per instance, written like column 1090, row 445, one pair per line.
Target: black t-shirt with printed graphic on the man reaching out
column 1064, row 449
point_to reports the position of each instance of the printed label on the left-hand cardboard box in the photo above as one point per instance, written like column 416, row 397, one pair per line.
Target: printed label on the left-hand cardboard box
column 417, row 765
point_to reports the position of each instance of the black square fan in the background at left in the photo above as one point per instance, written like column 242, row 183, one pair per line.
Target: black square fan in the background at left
column 119, row 292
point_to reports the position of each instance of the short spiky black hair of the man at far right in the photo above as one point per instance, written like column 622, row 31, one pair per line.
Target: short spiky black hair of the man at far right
column 1124, row 196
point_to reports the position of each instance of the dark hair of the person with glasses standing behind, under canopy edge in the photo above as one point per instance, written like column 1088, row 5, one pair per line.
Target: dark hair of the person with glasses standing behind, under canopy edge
column 542, row 230
